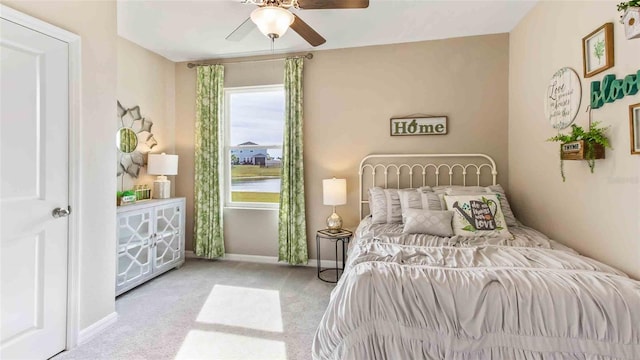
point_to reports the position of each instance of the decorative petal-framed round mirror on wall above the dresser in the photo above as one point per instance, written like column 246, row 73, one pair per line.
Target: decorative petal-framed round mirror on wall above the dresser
column 133, row 140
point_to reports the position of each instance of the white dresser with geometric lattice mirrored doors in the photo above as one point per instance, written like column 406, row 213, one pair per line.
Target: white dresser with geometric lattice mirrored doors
column 150, row 239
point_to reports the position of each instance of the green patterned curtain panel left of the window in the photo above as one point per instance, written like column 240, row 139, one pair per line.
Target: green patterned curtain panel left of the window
column 208, row 240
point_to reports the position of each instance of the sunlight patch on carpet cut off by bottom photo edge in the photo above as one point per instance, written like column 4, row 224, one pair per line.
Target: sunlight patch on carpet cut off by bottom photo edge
column 216, row 345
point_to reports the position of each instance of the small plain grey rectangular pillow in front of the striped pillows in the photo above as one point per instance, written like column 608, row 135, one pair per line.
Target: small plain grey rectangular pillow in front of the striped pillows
column 432, row 222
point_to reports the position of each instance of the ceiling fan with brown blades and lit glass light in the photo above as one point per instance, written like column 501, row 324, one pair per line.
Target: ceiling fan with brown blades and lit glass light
column 273, row 18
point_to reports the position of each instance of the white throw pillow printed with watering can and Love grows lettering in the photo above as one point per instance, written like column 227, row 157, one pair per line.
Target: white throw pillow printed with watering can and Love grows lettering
column 477, row 215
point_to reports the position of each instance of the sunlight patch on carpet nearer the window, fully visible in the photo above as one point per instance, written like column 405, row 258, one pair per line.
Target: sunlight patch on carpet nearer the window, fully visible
column 244, row 307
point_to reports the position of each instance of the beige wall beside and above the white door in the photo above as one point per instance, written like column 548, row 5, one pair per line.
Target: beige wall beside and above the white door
column 95, row 22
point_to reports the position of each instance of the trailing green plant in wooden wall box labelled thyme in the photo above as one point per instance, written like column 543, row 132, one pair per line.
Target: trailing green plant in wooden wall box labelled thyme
column 582, row 145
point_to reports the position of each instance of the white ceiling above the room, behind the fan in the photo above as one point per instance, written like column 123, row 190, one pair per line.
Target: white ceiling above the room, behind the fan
column 196, row 30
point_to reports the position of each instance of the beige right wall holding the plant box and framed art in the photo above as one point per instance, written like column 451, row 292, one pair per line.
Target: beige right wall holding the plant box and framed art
column 597, row 214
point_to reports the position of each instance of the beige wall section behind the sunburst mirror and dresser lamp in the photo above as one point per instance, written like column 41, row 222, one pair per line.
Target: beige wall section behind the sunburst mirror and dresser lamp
column 148, row 80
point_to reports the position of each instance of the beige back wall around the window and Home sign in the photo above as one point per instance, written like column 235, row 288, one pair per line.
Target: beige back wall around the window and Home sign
column 350, row 95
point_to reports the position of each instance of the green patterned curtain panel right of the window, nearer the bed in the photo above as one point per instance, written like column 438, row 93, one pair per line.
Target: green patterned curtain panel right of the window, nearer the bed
column 292, row 228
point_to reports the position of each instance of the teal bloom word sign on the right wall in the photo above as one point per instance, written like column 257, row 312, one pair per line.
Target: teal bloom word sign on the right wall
column 611, row 89
